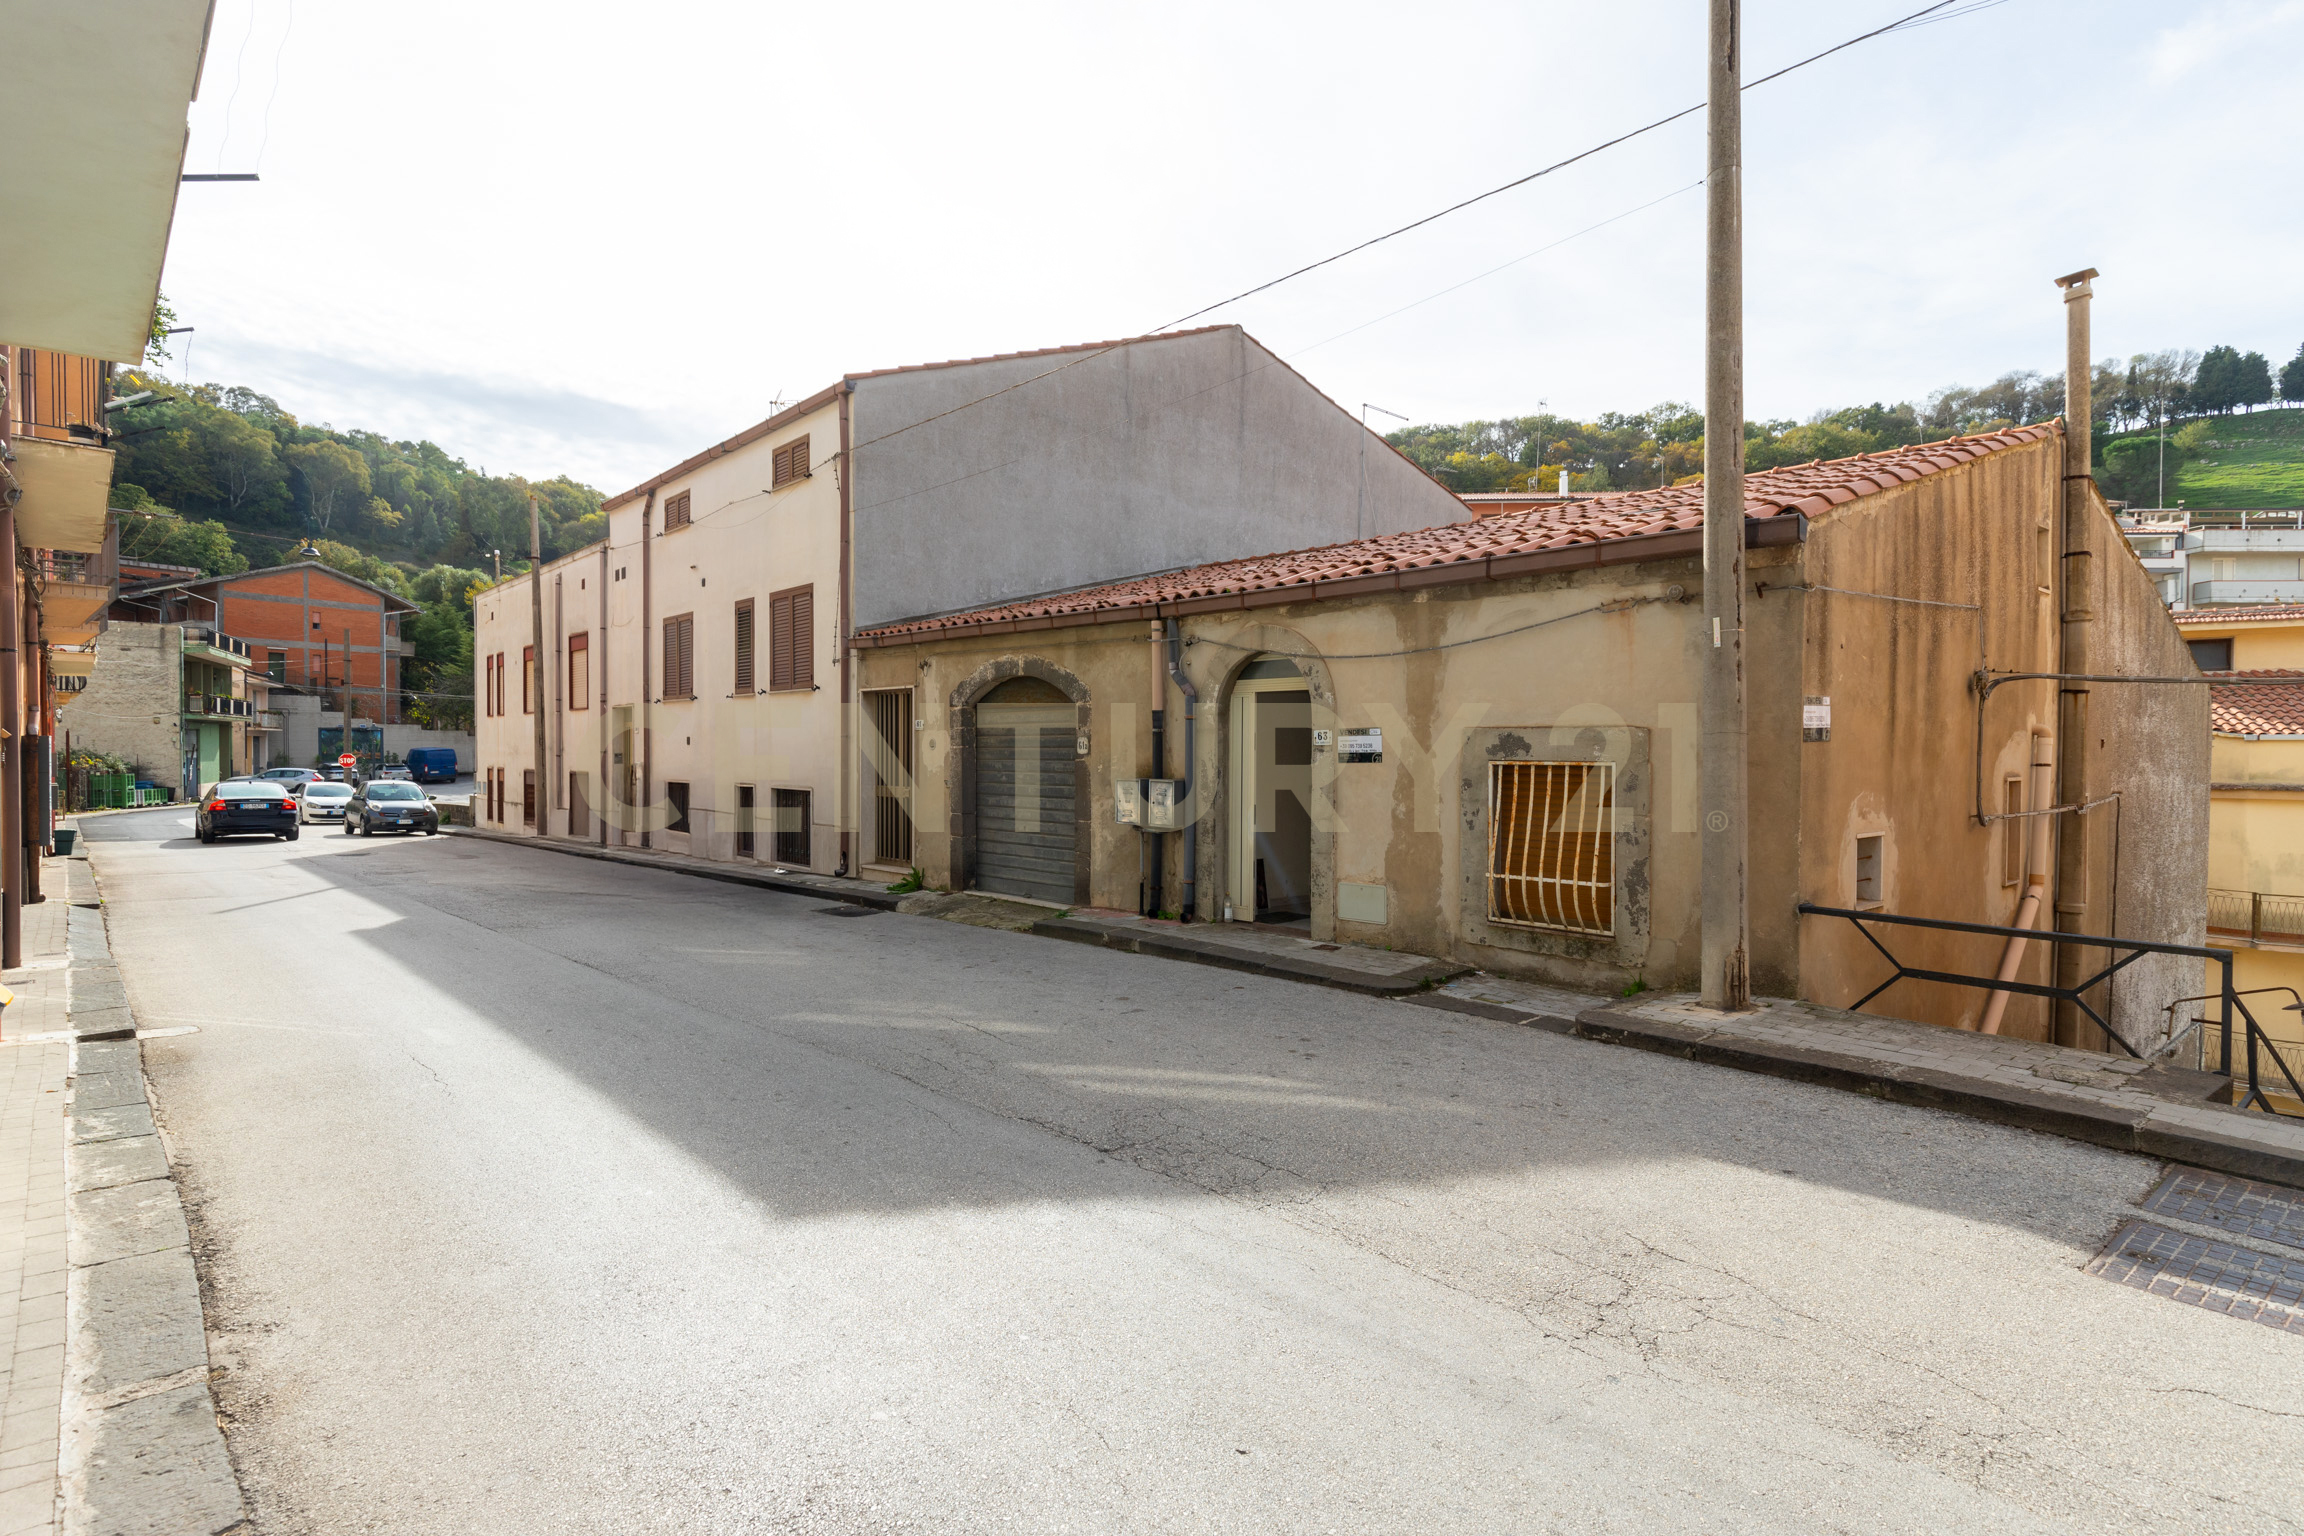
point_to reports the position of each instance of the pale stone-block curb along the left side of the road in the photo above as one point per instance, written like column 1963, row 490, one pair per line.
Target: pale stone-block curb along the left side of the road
column 142, row 1445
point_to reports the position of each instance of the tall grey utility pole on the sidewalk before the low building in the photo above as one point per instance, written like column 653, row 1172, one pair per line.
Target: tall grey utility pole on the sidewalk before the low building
column 1727, row 934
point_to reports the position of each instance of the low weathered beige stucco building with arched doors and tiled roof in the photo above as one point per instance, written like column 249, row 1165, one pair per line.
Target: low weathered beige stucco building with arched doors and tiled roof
column 1480, row 740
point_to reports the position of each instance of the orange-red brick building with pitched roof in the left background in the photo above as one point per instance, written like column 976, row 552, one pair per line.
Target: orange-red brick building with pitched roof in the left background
column 308, row 625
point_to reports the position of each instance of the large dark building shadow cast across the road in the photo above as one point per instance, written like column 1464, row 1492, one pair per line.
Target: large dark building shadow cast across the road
column 902, row 1063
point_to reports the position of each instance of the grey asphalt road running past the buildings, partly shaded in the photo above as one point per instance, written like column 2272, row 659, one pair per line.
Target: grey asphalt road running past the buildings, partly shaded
column 552, row 1196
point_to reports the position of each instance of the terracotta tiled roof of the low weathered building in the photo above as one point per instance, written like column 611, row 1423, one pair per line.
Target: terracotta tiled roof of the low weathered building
column 1508, row 545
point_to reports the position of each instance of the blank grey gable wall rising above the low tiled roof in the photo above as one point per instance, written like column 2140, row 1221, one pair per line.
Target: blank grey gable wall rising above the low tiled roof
column 1151, row 457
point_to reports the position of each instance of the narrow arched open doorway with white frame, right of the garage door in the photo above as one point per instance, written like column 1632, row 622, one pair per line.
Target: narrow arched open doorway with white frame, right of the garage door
column 1271, row 867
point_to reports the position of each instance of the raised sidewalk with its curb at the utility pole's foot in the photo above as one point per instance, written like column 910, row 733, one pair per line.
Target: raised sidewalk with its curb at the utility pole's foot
column 2084, row 1095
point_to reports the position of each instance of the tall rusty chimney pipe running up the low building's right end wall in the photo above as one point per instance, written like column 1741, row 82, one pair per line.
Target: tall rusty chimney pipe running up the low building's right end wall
column 2075, row 653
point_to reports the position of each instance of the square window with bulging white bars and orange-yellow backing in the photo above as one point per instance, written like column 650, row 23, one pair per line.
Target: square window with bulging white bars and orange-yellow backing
column 1552, row 846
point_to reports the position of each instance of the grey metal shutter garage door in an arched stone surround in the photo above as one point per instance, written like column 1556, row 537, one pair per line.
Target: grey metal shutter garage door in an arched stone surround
column 1026, row 796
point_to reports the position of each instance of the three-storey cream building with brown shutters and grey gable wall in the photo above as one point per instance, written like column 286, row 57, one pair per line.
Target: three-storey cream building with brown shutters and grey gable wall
column 697, row 678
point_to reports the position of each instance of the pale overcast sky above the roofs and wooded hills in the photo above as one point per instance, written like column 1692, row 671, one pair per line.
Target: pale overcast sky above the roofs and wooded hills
column 596, row 238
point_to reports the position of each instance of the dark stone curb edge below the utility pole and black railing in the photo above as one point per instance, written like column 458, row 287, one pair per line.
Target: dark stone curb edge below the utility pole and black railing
column 2148, row 1132
